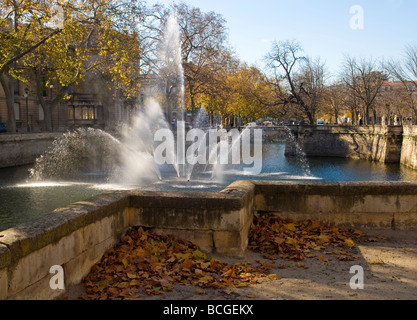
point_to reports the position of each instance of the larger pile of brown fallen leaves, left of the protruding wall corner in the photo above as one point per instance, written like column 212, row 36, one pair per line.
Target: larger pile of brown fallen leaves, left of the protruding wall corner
column 145, row 262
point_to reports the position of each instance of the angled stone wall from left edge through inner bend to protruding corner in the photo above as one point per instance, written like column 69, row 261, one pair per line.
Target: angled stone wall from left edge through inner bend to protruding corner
column 76, row 237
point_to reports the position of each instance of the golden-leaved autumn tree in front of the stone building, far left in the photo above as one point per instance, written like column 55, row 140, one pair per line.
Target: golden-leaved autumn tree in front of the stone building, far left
column 99, row 38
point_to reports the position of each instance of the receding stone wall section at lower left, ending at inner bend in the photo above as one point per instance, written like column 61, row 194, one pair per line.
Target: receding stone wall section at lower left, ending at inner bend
column 74, row 238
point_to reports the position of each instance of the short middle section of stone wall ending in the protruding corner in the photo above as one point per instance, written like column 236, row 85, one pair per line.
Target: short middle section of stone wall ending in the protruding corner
column 214, row 221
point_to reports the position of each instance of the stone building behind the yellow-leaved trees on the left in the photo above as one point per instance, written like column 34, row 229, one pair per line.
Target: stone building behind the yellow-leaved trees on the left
column 90, row 105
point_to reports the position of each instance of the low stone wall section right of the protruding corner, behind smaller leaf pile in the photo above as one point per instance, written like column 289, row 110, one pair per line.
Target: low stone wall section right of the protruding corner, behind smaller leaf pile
column 376, row 205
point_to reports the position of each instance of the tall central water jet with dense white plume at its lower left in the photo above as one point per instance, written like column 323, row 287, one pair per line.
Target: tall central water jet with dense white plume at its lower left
column 139, row 138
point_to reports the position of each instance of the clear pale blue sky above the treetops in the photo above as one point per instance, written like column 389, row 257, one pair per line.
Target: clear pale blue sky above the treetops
column 323, row 27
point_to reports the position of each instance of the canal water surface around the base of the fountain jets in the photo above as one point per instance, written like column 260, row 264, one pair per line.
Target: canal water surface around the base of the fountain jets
column 22, row 200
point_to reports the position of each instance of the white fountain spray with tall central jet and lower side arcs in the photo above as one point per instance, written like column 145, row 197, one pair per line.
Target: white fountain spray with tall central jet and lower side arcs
column 147, row 150
